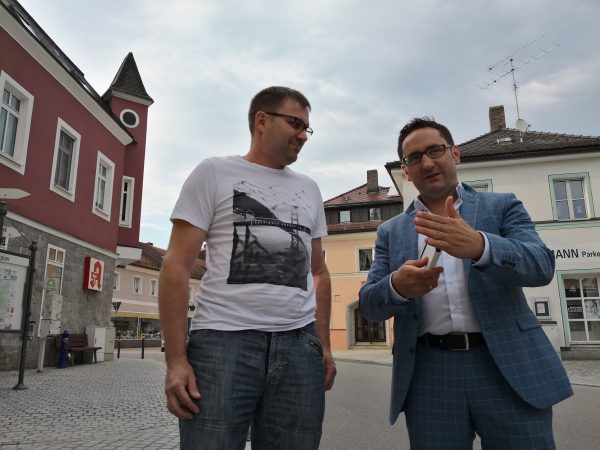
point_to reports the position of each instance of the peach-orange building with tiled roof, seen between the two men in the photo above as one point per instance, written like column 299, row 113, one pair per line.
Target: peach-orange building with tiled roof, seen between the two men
column 352, row 221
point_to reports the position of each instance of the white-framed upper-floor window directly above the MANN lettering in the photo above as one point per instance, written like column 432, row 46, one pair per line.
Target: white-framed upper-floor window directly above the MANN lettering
column 571, row 196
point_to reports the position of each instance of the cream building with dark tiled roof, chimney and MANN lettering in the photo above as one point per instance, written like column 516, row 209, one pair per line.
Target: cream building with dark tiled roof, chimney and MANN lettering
column 557, row 177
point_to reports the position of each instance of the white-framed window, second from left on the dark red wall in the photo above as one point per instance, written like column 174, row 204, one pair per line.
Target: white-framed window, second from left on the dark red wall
column 66, row 159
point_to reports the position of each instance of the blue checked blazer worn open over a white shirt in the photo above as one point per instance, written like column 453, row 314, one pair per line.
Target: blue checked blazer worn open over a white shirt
column 514, row 336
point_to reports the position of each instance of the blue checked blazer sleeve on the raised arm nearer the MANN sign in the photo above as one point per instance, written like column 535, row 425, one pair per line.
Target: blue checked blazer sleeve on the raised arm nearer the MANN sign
column 518, row 255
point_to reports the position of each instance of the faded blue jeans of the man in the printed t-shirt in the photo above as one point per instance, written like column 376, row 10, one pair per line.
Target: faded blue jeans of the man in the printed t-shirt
column 274, row 381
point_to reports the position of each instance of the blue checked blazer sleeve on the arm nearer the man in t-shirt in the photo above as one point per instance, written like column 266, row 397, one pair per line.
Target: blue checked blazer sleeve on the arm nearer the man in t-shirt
column 375, row 302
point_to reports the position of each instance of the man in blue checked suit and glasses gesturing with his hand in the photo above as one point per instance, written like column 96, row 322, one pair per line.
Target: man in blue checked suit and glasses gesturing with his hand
column 469, row 355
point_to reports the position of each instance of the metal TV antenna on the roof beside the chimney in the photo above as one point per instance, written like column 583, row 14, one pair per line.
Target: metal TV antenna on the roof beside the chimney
column 509, row 64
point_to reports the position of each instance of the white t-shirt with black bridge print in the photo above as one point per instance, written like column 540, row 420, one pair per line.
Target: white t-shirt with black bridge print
column 260, row 223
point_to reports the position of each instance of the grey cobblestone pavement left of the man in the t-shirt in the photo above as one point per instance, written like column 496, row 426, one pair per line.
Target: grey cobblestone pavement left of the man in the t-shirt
column 109, row 405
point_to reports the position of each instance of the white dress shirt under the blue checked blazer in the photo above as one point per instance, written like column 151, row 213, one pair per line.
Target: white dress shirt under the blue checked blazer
column 447, row 308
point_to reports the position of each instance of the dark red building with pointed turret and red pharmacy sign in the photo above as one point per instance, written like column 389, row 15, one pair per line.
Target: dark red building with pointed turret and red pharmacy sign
column 80, row 158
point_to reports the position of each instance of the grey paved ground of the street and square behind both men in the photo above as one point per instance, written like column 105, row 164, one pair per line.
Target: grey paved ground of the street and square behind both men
column 120, row 405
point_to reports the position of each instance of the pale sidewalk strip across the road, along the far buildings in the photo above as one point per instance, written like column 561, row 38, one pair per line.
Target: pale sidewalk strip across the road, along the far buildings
column 586, row 372
